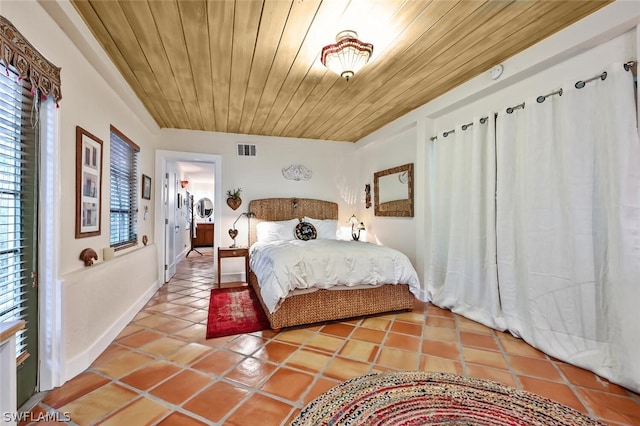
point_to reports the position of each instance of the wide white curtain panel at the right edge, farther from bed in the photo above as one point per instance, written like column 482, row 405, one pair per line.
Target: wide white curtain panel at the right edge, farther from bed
column 568, row 226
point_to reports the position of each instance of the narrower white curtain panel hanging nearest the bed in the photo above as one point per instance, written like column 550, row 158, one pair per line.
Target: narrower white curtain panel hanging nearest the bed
column 462, row 276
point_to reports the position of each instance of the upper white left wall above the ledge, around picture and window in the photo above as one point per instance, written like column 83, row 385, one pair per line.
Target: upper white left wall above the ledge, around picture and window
column 89, row 102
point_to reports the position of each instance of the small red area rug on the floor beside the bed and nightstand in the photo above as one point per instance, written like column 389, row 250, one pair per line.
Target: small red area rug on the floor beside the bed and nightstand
column 234, row 310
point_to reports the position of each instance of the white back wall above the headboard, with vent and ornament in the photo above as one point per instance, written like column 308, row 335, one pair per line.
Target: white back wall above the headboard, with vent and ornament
column 334, row 174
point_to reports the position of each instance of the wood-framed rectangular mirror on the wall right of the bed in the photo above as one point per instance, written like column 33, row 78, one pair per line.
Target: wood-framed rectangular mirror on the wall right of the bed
column 393, row 191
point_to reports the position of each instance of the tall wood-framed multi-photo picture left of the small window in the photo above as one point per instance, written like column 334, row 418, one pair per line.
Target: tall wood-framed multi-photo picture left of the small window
column 88, row 183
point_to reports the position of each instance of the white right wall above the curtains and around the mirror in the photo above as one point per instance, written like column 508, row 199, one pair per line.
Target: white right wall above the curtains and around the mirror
column 537, row 71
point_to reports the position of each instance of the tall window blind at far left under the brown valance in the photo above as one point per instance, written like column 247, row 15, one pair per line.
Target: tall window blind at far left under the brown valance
column 18, row 162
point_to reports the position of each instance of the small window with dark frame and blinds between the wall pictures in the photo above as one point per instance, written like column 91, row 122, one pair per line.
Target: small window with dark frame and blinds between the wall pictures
column 124, row 191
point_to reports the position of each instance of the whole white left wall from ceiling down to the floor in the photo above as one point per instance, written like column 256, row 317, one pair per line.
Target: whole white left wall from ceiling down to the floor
column 87, row 302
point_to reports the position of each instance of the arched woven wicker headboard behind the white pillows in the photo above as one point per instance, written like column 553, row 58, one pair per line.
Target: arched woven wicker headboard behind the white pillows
column 276, row 209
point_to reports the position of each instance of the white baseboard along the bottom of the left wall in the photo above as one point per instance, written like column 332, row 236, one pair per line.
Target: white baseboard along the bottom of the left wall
column 83, row 360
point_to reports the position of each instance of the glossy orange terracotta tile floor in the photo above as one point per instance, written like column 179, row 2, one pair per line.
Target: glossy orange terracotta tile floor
column 162, row 370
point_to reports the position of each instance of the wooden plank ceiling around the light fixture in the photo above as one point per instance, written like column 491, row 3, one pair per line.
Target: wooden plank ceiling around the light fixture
column 252, row 66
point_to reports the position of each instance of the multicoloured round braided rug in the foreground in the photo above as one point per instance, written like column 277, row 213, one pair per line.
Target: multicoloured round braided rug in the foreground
column 428, row 398
